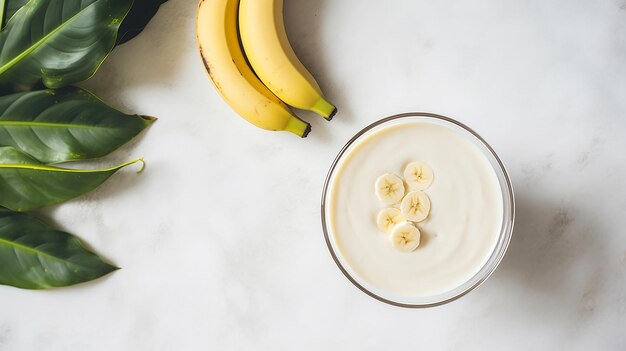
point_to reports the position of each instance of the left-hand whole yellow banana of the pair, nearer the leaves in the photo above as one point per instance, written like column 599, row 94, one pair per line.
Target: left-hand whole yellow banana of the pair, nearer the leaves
column 218, row 42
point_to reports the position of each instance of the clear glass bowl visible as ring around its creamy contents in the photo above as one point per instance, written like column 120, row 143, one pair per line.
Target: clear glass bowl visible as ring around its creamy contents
column 505, row 232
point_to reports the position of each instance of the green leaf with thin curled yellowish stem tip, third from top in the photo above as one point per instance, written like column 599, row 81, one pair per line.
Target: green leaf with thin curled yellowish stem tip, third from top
column 27, row 184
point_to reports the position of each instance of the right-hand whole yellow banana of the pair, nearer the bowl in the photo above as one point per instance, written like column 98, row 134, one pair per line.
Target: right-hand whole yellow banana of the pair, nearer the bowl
column 268, row 50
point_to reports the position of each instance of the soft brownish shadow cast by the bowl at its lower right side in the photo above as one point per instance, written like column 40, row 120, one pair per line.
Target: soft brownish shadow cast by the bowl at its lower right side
column 550, row 241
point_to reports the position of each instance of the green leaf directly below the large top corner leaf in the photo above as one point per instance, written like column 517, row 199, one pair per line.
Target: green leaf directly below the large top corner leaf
column 65, row 125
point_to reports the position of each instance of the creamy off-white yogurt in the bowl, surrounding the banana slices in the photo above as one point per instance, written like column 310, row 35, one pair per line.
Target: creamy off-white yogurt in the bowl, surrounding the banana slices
column 457, row 238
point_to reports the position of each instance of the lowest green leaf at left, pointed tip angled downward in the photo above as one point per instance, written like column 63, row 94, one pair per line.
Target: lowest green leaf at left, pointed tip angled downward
column 35, row 256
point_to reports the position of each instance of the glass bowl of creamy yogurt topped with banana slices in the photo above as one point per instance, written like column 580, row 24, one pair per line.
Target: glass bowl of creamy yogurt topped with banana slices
column 417, row 210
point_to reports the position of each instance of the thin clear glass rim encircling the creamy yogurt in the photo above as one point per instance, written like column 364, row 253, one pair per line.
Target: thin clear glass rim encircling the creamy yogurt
column 508, row 233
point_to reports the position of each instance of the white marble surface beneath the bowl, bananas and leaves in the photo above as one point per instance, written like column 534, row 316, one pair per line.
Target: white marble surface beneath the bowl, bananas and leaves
column 220, row 238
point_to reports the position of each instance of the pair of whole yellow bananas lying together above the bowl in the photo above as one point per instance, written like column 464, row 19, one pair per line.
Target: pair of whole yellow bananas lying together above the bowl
column 259, row 84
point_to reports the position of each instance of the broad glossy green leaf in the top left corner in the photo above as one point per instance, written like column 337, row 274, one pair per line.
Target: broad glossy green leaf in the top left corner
column 58, row 41
